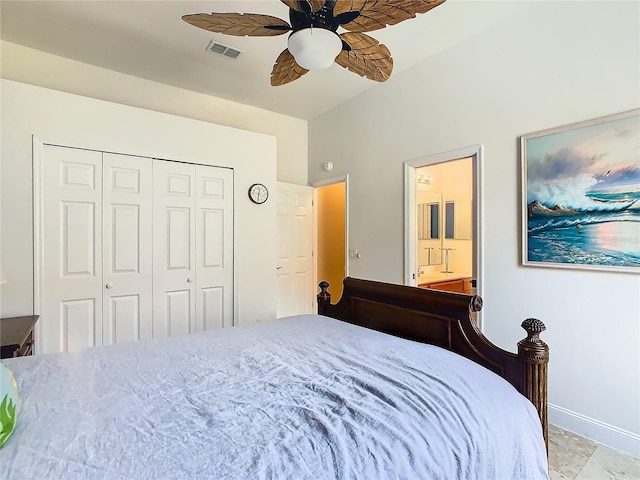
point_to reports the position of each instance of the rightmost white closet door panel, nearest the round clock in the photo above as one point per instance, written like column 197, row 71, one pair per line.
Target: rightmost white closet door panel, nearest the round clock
column 214, row 248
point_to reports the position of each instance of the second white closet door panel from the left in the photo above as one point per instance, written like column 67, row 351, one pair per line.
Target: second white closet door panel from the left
column 127, row 256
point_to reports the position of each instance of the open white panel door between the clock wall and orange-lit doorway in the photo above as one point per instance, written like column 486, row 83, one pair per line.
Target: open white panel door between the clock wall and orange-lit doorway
column 296, row 289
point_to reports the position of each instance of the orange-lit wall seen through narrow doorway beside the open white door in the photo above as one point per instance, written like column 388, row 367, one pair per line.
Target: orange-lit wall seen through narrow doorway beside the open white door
column 331, row 236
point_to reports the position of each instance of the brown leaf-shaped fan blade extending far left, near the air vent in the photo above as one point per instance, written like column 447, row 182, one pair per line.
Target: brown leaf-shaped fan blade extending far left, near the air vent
column 239, row 24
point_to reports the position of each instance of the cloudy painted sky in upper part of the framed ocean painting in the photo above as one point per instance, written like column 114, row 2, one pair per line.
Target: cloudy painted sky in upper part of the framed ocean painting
column 562, row 167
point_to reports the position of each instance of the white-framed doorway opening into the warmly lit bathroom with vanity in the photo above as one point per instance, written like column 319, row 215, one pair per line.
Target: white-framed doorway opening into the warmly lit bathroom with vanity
column 442, row 227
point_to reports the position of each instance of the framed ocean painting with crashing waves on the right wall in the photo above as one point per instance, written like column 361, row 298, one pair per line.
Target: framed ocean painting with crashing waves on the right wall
column 581, row 195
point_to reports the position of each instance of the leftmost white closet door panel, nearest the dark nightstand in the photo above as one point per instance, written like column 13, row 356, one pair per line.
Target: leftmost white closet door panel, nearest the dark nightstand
column 71, row 315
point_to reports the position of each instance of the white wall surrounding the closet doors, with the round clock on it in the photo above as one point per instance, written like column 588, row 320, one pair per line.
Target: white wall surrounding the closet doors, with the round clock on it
column 66, row 119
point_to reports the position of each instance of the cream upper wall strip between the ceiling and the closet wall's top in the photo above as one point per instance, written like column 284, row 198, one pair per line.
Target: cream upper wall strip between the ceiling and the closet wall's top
column 31, row 66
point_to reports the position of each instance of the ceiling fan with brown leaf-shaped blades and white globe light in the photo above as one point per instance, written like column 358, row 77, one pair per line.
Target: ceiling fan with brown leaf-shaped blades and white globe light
column 314, row 43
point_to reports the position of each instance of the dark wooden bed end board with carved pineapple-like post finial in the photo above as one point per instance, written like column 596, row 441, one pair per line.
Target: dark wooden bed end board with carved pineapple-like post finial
column 445, row 319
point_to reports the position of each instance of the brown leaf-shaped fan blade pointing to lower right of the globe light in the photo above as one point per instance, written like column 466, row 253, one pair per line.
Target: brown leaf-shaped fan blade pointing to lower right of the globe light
column 367, row 57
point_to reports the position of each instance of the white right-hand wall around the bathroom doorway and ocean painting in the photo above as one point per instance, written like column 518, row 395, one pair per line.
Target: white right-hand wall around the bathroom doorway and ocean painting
column 555, row 64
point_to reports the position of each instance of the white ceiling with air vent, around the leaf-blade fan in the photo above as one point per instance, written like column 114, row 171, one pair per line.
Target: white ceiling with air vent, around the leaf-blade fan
column 148, row 39
